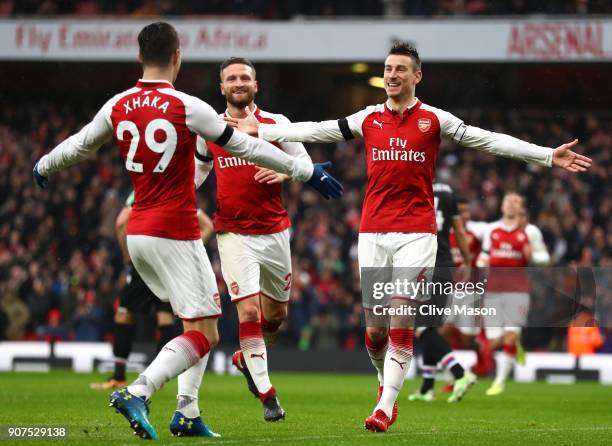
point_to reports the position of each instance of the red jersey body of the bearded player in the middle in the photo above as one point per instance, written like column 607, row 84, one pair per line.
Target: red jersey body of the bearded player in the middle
column 246, row 206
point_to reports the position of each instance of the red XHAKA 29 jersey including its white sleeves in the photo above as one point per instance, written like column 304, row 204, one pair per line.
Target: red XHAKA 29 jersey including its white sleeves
column 156, row 128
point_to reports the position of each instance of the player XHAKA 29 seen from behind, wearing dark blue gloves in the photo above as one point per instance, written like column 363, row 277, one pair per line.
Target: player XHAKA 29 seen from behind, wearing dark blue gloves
column 157, row 128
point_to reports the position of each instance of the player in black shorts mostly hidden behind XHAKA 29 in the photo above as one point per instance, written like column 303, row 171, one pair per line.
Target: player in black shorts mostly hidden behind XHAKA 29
column 137, row 297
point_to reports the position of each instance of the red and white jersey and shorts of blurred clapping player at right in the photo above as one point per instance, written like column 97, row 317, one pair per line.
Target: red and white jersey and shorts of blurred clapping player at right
column 508, row 281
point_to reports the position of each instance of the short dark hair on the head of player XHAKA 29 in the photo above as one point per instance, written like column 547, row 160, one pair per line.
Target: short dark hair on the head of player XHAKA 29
column 157, row 42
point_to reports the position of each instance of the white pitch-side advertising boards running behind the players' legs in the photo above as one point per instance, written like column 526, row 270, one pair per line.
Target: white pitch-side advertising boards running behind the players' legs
column 87, row 357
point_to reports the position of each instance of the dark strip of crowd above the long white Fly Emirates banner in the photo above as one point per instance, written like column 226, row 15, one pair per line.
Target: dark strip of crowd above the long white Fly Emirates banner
column 275, row 9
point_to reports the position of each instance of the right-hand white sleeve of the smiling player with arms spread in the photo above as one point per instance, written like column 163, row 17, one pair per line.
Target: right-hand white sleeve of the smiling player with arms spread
column 454, row 129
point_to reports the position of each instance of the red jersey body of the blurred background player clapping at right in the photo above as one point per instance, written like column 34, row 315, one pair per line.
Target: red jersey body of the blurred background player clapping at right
column 506, row 247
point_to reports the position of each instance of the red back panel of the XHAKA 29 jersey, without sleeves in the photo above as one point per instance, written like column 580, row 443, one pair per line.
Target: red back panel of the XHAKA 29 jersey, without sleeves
column 151, row 130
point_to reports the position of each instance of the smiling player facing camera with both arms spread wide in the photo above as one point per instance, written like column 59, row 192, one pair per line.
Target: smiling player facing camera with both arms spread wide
column 398, row 225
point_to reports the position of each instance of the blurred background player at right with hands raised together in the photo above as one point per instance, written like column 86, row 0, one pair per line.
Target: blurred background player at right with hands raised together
column 510, row 244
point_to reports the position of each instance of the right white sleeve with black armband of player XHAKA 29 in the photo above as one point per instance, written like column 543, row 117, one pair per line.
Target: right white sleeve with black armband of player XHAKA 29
column 204, row 121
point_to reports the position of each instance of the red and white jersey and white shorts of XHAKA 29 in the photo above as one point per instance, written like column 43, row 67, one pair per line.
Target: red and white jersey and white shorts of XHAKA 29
column 156, row 129
